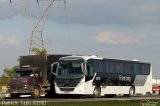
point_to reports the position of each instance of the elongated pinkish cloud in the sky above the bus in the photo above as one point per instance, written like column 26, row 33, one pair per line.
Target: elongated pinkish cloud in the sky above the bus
column 115, row 38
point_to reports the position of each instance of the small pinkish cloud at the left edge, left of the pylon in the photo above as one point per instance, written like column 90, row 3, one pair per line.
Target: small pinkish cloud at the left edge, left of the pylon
column 12, row 40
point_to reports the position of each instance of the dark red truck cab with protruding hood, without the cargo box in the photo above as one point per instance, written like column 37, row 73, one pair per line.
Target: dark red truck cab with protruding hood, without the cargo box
column 26, row 80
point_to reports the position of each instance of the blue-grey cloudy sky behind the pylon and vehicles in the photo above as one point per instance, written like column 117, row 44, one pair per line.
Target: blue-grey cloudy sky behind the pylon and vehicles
column 119, row 29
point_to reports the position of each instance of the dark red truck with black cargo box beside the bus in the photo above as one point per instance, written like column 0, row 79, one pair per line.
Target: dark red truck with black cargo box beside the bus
column 34, row 76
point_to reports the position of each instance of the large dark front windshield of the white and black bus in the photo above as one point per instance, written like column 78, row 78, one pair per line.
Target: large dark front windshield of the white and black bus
column 69, row 70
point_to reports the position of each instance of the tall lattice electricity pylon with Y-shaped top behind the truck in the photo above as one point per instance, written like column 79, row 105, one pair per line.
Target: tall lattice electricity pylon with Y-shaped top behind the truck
column 36, row 40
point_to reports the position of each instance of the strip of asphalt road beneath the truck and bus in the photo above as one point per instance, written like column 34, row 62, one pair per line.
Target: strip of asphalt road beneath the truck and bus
column 81, row 99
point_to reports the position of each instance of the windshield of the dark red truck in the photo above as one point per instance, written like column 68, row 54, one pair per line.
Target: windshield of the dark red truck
column 27, row 73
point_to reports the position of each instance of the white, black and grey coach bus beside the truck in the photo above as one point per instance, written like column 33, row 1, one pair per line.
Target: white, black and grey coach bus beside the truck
column 92, row 75
